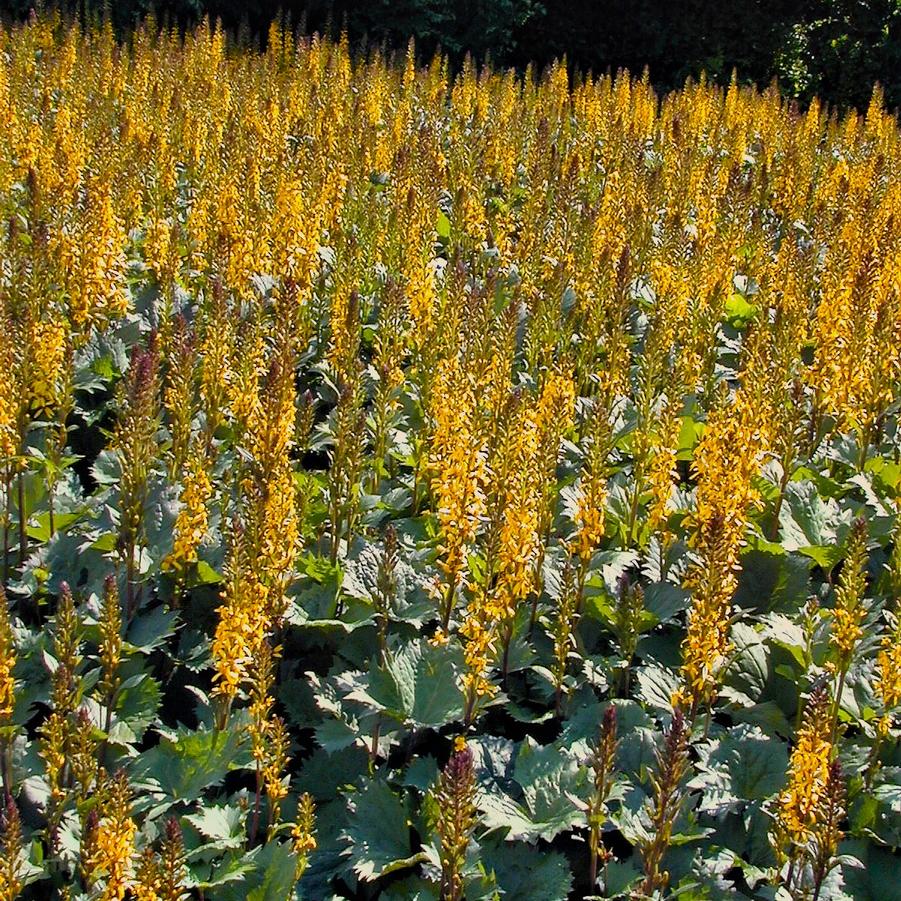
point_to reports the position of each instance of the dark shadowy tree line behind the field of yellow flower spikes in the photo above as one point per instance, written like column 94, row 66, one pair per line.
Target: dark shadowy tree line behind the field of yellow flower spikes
column 834, row 48
